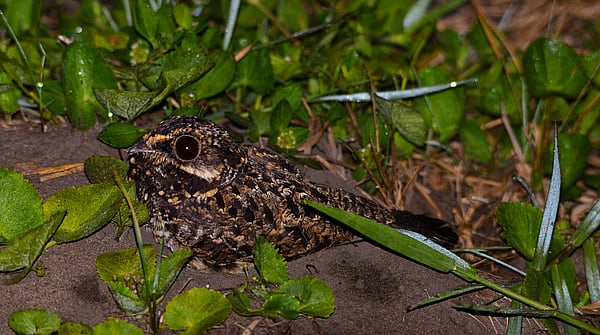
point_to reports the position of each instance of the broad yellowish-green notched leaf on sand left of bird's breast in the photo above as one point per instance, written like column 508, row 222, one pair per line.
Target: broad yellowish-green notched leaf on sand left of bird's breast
column 89, row 208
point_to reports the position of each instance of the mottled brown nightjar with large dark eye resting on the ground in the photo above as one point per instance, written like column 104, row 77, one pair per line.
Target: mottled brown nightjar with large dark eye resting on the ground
column 214, row 195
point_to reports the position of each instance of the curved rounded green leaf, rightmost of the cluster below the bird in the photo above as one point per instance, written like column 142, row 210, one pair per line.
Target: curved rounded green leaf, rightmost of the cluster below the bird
column 315, row 296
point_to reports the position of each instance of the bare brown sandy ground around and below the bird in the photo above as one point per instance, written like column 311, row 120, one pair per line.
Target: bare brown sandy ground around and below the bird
column 372, row 287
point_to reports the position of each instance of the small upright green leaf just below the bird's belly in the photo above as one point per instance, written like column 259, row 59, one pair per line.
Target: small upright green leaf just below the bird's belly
column 269, row 263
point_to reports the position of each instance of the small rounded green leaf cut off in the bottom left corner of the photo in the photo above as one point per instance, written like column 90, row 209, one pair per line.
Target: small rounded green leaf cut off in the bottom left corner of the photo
column 34, row 321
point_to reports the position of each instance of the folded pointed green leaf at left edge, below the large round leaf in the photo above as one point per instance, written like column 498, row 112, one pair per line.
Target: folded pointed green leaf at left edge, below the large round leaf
column 21, row 253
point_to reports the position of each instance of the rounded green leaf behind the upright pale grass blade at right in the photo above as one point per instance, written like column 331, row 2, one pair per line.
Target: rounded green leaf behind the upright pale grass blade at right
column 574, row 150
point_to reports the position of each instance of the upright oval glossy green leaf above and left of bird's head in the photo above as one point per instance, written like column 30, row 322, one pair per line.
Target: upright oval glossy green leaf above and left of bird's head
column 84, row 69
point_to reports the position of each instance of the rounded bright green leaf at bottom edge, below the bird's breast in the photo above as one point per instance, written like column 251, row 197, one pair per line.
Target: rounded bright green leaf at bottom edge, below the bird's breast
column 196, row 311
